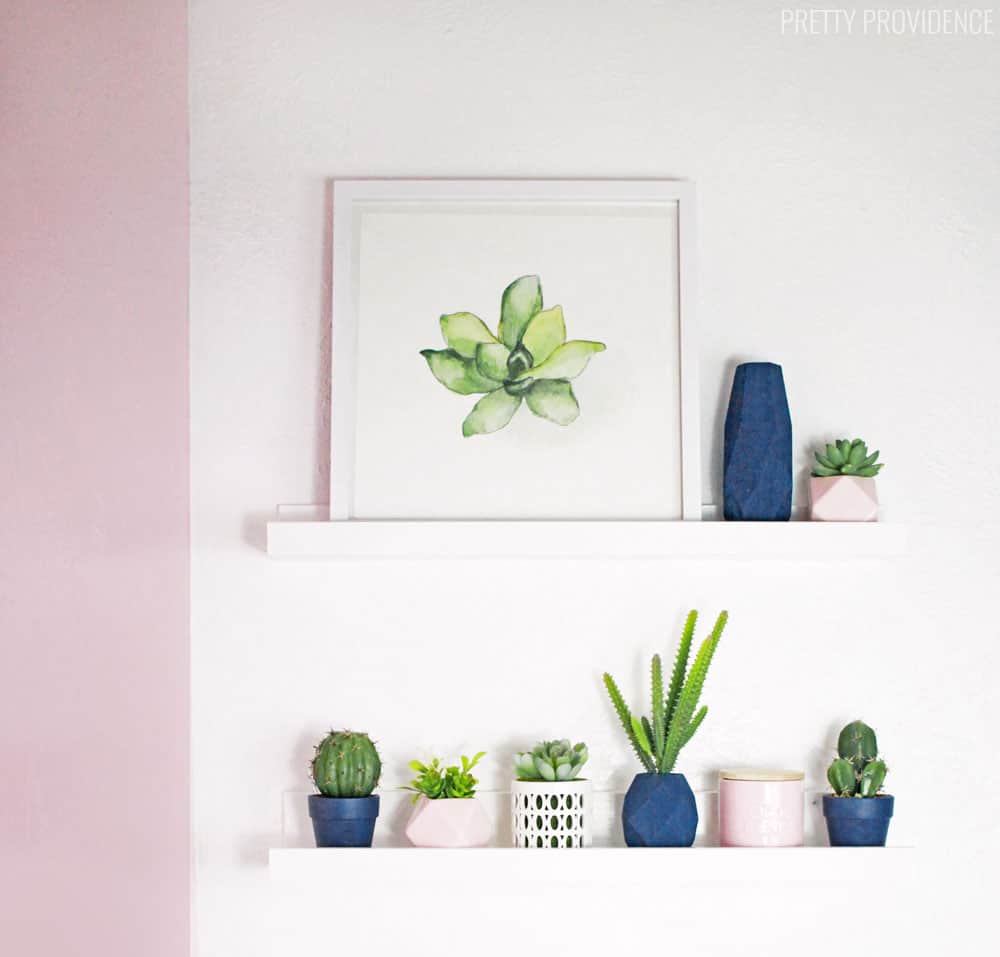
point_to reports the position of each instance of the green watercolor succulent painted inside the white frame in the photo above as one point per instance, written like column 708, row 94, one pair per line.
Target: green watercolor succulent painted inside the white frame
column 527, row 360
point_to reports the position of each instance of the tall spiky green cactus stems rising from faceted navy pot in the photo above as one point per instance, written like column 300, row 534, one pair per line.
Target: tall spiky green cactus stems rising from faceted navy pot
column 657, row 741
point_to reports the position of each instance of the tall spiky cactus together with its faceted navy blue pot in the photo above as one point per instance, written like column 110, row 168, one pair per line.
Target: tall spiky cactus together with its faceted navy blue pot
column 659, row 809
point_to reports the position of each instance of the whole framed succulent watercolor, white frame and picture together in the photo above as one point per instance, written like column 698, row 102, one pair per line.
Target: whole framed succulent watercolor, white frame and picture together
column 513, row 349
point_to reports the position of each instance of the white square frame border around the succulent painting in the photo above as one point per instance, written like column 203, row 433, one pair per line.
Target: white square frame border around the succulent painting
column 351, row 197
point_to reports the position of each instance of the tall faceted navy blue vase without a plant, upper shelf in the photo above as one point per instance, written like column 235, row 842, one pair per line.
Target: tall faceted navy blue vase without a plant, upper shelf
column 757, row 463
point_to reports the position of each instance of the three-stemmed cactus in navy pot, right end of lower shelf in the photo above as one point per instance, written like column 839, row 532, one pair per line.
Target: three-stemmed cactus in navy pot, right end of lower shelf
column 856, row 814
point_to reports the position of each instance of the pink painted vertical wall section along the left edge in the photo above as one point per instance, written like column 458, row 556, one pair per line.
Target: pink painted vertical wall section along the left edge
column 94, row 621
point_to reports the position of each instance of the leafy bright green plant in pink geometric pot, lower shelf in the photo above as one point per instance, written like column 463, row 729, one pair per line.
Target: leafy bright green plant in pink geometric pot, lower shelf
column 447, row 812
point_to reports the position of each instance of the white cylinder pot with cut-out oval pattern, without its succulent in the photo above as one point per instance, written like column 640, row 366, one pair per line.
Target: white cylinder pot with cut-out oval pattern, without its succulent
column 550, row 813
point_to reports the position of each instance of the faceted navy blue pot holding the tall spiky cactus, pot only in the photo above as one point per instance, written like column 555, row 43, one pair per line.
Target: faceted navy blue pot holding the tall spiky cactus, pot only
column 659, row 811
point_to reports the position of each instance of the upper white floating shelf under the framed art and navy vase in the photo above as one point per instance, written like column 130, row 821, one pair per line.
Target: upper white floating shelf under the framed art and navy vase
column 740, row 541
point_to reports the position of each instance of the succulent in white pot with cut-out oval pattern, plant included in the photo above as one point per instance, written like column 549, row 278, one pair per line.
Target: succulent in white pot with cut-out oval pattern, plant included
column 548, row 799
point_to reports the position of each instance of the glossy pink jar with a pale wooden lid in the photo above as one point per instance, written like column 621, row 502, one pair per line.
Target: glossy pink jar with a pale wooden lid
column 759, row 807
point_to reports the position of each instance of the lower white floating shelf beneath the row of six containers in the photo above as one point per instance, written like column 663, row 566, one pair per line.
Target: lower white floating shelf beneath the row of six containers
column 373, row 869
